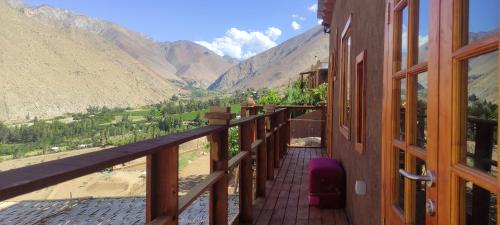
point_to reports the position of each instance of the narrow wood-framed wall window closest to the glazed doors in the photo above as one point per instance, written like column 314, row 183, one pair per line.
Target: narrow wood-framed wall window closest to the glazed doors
column 360, row 103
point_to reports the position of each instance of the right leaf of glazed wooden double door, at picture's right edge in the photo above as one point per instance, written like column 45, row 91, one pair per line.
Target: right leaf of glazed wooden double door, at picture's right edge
column 468, row 127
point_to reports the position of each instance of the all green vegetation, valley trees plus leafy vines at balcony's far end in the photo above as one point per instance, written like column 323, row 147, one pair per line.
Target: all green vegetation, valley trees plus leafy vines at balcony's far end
column 102, row 126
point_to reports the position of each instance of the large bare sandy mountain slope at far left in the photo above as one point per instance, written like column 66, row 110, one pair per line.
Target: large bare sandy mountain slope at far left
column 45, row 71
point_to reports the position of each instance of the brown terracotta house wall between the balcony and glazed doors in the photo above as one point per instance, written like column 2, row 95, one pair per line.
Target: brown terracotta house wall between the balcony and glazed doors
column 367, row 26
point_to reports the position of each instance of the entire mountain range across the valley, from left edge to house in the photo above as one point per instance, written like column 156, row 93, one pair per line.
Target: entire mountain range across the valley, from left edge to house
column 54, row 61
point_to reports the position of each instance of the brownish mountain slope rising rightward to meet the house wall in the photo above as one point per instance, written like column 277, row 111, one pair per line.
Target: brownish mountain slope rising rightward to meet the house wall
column 276, row 66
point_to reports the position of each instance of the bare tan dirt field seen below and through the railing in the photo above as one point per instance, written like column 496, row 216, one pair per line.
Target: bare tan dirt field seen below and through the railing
column 123, row 180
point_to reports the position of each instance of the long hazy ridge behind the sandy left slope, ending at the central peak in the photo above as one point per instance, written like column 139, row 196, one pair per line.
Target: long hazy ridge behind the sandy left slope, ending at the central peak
column 182, row 62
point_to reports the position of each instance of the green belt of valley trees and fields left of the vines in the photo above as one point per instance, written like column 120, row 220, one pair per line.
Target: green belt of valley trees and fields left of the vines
column 102, row 126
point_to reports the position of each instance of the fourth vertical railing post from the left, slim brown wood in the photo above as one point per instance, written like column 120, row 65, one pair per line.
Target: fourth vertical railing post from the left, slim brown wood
column 261, row 158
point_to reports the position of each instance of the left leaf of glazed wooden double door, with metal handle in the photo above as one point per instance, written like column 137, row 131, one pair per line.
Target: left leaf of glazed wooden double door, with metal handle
column 410, row 132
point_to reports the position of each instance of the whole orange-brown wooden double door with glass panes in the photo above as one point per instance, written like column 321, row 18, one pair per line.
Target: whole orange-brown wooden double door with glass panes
column 440, row 112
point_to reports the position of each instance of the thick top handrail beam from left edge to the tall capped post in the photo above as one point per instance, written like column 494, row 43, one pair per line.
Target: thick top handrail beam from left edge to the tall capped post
column 31, row 178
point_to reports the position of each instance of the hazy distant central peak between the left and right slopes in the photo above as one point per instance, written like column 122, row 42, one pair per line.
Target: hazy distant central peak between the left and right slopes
column 194, row 63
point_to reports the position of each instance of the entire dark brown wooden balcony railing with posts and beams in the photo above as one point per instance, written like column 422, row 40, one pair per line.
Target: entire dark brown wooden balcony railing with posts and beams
column 264, row 136
